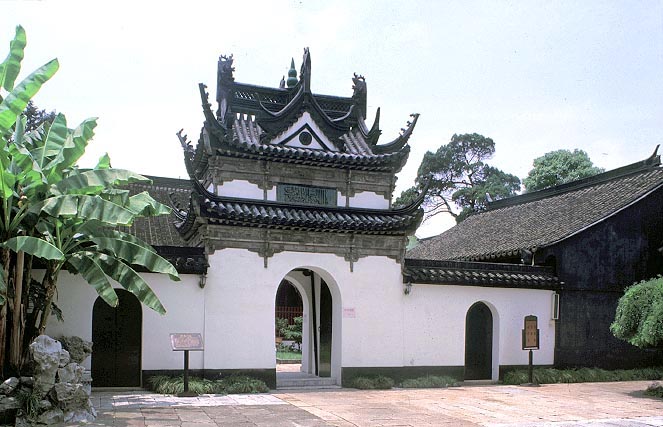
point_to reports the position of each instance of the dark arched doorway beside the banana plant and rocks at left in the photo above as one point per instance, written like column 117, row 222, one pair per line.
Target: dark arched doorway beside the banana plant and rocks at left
column 116, row 336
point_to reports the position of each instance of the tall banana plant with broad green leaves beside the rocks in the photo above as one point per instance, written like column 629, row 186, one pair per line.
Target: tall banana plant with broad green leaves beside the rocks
column 61, row 216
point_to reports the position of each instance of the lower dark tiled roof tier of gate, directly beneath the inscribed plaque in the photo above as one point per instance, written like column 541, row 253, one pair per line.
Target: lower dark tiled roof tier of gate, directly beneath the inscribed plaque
column 252, row 213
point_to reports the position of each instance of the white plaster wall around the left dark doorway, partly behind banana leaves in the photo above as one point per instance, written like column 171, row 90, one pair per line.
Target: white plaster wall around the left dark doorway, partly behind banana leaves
column 185, row 313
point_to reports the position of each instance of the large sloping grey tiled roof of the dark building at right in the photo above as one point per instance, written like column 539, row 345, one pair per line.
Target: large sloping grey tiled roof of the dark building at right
column 543, row 218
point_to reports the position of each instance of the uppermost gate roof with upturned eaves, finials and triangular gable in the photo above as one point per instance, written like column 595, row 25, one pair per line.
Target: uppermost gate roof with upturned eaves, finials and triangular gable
column 251, row 119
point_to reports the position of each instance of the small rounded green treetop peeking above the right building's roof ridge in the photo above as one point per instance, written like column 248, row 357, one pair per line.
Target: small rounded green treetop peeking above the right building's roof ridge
column 559, row 167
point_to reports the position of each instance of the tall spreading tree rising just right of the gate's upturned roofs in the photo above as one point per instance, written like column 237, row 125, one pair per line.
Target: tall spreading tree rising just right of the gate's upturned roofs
column 459, row 181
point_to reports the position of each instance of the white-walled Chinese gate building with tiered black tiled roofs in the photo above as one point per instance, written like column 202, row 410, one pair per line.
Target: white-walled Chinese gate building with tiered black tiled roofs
column 289, row 185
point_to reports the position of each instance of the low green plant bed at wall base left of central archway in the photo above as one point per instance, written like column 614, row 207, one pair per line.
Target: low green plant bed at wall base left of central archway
column 236, row 384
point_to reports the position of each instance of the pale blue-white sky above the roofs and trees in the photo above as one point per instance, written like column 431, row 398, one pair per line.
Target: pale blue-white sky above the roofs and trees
column 534, row 76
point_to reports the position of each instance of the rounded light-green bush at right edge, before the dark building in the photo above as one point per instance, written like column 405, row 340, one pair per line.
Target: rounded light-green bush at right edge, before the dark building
column 639, row 316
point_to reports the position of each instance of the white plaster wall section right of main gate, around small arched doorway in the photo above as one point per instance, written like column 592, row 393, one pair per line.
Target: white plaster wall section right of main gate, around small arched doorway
column 434, row 320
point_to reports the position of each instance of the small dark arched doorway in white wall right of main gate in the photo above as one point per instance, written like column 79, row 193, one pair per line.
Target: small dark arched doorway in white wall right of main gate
column 479, row 342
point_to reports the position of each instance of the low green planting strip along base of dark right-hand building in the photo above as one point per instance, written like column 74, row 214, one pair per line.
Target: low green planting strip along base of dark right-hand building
column 553, row 376
